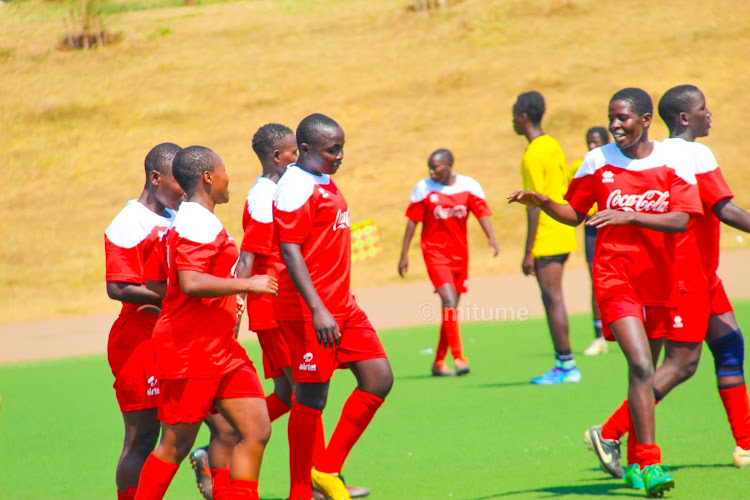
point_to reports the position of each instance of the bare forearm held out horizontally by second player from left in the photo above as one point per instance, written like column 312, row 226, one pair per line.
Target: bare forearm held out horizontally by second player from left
column 197, row 284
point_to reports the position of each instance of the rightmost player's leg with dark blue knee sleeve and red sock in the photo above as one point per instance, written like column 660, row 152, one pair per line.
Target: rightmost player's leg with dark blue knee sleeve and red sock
column 727, row 345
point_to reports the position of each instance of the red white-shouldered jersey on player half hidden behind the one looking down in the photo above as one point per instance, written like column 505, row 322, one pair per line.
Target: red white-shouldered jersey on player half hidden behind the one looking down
column 257, row 221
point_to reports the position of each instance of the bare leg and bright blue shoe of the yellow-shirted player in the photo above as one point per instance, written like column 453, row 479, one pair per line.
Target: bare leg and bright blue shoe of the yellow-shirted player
column 549, row 271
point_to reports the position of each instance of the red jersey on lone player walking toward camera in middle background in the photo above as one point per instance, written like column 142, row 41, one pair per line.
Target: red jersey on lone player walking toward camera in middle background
column 443, row 211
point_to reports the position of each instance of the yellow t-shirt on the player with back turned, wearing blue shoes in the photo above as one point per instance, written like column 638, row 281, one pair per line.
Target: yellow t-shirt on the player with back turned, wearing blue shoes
column 544, row 170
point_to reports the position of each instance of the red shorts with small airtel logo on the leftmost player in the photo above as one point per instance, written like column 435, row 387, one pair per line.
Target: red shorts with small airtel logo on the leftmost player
column 130, row 353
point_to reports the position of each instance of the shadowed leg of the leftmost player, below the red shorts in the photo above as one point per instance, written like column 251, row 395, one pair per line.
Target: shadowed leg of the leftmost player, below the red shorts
column 141, row 434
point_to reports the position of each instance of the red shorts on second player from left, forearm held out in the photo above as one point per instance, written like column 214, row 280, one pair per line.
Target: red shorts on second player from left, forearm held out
column 190, row 400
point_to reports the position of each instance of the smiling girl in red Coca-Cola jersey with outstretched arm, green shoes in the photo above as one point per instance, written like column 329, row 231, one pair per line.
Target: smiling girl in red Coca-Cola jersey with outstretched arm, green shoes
column 644, row 195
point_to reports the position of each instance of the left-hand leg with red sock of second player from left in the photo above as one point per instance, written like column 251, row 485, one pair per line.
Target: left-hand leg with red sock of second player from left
column 162, row 464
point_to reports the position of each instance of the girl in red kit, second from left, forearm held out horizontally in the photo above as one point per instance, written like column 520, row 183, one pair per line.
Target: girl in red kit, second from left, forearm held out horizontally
column 201, row 366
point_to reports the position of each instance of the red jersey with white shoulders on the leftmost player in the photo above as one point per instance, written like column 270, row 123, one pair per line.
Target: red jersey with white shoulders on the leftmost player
column 129, row 241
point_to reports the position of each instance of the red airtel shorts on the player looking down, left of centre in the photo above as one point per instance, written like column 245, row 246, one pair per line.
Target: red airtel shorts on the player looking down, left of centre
column 312, row 363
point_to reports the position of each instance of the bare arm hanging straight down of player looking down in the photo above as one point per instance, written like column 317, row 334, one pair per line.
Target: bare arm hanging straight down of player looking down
column 323, row 322
